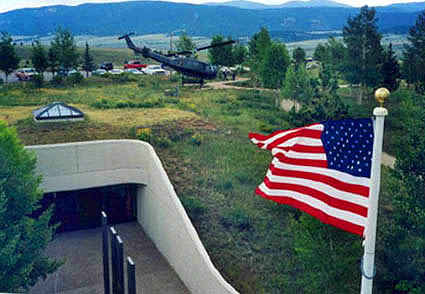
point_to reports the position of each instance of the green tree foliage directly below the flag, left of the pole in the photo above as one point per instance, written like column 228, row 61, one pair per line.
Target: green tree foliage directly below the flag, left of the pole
column 326, row 257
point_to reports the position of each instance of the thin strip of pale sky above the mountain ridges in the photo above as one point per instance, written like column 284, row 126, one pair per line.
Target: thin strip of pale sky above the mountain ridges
column 6, row 5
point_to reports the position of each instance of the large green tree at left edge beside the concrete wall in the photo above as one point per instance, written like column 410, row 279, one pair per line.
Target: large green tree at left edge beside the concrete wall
column 22, row 238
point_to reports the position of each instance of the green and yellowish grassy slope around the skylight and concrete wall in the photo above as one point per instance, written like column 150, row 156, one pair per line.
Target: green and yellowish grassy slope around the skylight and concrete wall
column 202, row 140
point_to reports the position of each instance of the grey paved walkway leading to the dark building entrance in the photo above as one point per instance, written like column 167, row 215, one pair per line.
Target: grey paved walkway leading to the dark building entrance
column 82, row 272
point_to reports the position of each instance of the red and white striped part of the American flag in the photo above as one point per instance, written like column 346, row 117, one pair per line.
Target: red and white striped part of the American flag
column 299, row 176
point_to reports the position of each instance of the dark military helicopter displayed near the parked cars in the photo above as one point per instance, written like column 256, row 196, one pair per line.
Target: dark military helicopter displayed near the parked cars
column 188, row 66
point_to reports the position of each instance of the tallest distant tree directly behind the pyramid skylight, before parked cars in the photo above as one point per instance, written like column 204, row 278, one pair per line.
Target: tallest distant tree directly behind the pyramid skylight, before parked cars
column 65, row 48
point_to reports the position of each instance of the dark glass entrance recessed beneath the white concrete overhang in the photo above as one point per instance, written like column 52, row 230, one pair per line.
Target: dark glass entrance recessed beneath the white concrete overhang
column 77, row 210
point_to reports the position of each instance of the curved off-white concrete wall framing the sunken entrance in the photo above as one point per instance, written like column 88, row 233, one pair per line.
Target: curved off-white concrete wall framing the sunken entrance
column 74, row 166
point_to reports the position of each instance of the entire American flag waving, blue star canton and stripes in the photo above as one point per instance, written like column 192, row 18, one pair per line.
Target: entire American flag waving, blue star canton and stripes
column 322, row 169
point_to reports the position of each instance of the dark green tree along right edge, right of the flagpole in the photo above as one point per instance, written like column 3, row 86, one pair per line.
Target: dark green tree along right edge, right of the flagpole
column 402, row 254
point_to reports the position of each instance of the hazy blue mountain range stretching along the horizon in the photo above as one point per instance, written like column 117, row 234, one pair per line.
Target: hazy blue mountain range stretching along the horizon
column 152, row 17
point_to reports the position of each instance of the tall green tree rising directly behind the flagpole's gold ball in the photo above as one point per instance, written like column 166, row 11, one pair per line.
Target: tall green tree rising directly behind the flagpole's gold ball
column 364, row 51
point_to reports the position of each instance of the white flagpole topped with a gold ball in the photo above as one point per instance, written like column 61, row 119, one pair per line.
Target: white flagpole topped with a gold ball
column 367, row 264
